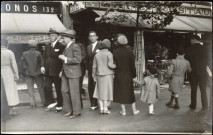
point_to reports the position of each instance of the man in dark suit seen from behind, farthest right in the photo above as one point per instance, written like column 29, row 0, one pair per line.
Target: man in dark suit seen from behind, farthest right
column 197, row 57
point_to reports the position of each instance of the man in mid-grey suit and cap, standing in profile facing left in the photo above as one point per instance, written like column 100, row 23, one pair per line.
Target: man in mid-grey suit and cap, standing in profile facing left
column 70, row 74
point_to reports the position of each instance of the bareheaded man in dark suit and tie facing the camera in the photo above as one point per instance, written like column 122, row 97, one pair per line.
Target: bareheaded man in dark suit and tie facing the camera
column 92, row 49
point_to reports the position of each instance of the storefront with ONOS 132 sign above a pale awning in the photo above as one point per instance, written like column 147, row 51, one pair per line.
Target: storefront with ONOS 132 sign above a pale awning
column 23, row 21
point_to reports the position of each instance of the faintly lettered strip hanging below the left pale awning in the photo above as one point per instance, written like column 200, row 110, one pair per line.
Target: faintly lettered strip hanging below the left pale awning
column 24, row 38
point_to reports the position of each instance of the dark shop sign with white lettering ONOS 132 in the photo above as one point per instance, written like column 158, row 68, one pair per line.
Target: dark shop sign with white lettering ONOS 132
column 30, row 7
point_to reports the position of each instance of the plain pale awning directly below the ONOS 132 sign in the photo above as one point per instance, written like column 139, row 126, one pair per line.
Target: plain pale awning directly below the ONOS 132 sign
column 30, row 23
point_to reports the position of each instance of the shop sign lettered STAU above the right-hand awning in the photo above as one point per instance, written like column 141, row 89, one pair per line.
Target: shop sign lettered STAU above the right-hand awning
column 194, row 11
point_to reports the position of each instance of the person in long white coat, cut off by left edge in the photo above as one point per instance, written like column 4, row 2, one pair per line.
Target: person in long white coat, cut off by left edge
column 9, row 73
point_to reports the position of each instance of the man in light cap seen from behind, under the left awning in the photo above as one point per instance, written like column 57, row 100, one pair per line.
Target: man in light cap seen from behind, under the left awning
column 31, row 64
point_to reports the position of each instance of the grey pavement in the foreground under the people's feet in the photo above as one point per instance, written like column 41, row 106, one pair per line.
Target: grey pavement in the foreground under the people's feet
column 166, row 120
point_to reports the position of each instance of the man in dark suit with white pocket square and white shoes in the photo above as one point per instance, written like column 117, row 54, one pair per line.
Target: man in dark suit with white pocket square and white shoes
column 51, row 67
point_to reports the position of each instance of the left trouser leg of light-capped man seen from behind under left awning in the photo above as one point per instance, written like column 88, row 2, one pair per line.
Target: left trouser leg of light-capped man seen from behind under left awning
column 30, row 86
